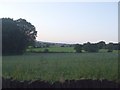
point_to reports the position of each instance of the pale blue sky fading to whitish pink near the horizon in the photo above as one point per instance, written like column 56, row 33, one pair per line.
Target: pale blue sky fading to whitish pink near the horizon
column 67, row 22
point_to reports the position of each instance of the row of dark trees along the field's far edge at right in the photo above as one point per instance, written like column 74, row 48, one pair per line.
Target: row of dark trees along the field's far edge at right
column 94, row 47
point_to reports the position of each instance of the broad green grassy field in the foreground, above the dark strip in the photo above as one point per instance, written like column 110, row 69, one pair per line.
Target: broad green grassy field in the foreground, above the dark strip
column 61, row 66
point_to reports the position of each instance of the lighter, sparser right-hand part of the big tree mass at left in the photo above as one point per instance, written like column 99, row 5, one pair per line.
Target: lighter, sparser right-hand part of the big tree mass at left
column 28, row 30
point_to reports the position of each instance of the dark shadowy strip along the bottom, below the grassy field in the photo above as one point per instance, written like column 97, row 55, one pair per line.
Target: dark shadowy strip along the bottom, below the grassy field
column 85, row 83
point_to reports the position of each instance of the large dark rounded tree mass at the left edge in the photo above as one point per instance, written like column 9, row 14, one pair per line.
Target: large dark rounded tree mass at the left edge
column 16, row 35
